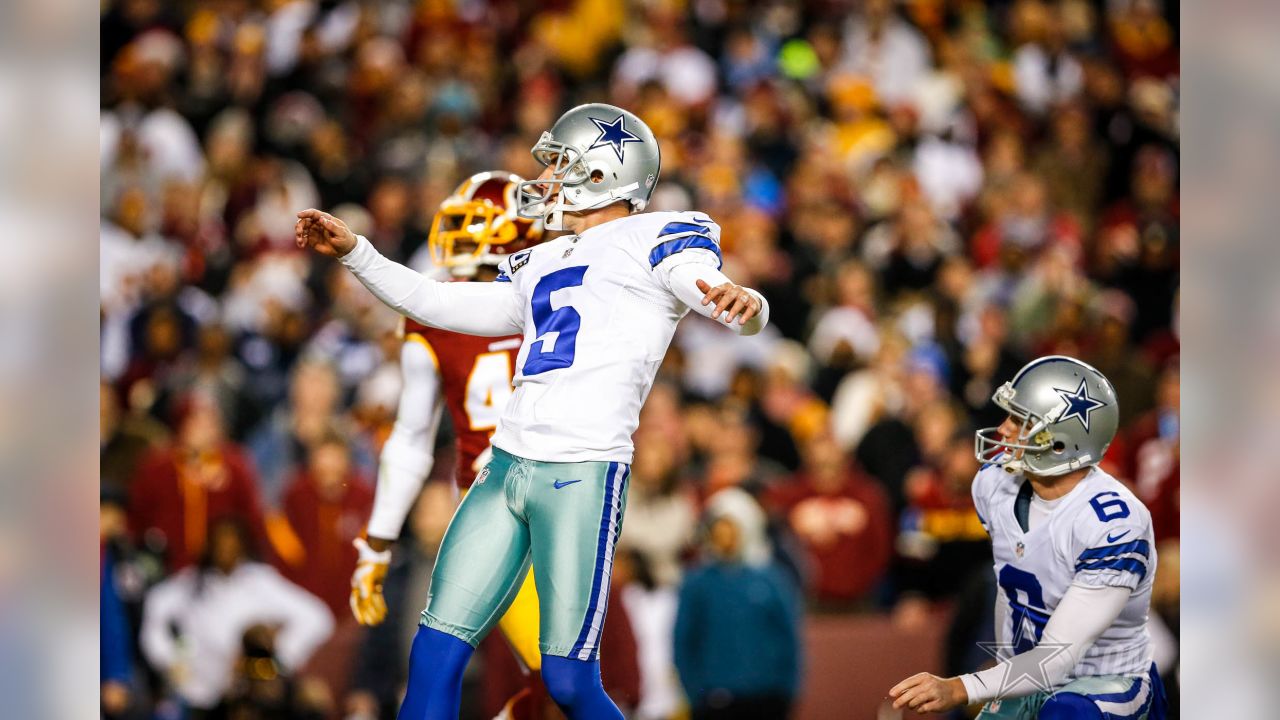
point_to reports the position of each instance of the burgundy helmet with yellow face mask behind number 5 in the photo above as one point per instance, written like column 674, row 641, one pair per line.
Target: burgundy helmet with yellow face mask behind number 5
column 478, row 225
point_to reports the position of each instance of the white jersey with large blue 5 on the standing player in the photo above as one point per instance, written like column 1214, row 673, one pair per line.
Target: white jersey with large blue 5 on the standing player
column 600, row 315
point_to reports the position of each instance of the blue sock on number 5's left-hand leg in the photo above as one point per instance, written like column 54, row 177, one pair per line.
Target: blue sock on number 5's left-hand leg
column 436, row 668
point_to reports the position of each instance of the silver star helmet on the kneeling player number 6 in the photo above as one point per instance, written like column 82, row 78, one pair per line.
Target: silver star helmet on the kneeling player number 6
column 1067, row 414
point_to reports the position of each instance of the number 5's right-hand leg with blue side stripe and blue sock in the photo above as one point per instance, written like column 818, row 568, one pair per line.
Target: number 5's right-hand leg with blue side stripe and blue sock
column 575, row 518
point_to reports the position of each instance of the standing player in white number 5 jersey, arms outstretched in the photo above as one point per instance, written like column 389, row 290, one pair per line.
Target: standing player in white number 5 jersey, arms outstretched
column 597, row 309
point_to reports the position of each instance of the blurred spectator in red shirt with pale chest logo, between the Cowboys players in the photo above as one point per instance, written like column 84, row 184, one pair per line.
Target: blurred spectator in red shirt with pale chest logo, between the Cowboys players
column 842, row 518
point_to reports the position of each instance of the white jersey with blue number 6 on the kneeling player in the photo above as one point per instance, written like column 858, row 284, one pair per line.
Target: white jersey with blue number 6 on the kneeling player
column 1098, row 535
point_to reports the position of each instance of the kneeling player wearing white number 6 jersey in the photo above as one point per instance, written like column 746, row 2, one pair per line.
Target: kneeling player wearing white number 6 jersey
column 1075, row 559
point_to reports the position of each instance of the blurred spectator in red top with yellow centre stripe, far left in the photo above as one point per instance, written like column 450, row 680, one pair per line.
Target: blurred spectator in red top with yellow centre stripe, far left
column 181, row 490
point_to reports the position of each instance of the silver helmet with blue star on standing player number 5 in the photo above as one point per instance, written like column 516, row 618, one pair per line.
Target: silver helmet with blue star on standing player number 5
column 598, row 154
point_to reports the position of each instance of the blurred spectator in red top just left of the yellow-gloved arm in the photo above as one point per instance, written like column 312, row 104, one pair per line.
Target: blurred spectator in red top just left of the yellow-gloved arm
column 327, row 504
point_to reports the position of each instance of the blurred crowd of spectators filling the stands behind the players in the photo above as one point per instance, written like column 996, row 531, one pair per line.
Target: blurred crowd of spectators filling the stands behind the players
column 930, row 194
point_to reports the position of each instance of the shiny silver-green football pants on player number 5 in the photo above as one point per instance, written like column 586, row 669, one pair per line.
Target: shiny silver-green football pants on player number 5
column 565, row 518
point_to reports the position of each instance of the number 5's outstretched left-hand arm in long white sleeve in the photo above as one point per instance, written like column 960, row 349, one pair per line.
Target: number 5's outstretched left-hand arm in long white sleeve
column 483, row 309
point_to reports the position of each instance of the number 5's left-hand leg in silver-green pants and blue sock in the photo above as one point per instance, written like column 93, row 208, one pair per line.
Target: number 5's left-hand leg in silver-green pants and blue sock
column 483, row 558
